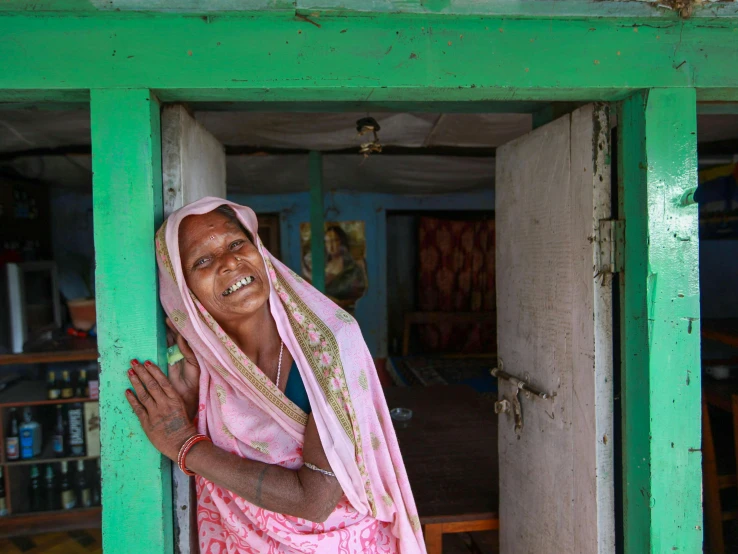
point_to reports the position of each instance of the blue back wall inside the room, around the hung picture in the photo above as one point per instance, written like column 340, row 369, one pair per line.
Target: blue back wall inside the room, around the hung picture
column 371, row 311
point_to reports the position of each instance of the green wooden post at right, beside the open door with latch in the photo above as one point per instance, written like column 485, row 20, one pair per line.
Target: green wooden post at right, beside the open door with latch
column 661, row 386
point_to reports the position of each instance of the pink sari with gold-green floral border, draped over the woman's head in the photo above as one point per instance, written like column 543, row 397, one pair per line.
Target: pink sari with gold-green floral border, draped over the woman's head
column 243, row 412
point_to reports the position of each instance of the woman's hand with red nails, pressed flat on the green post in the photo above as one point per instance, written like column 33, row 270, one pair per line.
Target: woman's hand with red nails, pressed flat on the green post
column 159, row 408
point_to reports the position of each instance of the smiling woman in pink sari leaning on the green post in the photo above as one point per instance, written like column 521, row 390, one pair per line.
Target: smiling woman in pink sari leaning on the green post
column 294, row 449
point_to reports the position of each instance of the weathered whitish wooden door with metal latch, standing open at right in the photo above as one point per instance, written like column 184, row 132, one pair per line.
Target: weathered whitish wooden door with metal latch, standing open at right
column 555, row 333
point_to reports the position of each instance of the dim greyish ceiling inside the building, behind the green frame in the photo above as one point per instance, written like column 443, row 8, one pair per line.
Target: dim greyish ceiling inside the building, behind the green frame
column 268, row 148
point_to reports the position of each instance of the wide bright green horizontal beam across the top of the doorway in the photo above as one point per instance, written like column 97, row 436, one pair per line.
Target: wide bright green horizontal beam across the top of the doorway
column 376, row 58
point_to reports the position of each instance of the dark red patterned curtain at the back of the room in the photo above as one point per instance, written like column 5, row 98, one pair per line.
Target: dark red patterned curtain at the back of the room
column 457, row 274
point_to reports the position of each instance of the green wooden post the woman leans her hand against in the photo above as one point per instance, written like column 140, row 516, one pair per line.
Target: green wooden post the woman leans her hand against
column 127, row 192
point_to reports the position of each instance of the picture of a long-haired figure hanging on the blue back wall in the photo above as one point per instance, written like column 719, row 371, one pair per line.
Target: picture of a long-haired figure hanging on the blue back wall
column 345, row 261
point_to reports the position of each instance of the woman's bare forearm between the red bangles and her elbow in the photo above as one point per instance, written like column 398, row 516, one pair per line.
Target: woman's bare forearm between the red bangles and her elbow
column 303, row 493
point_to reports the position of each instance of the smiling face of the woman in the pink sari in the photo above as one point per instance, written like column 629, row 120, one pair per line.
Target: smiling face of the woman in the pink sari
column 222, row 267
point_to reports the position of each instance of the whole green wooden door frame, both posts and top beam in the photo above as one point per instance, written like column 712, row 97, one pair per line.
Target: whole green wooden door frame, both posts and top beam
column 658, row 67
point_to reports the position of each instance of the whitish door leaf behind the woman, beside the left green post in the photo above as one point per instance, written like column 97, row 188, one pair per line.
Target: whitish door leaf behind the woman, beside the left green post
column 193, row 166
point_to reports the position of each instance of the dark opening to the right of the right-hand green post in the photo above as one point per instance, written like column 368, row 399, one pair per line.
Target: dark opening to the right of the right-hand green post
column 717, row 197
